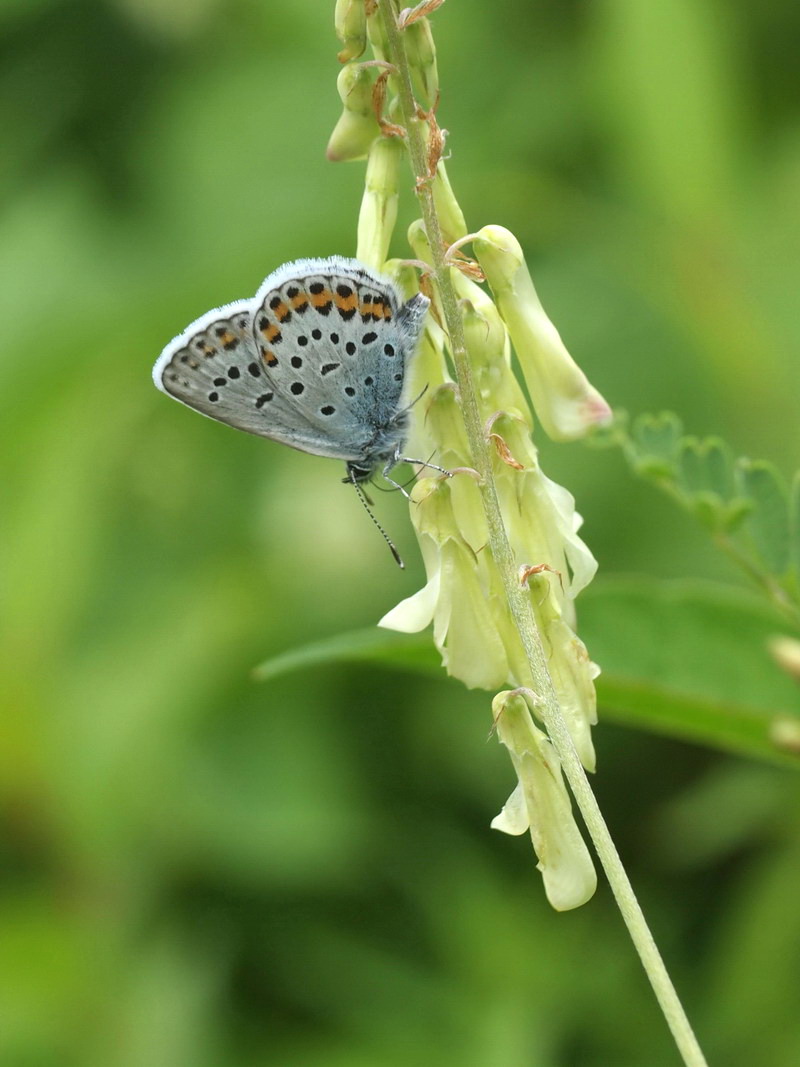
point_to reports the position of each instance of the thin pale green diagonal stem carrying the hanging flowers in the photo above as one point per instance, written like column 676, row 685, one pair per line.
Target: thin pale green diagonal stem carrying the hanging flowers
column 518, row 599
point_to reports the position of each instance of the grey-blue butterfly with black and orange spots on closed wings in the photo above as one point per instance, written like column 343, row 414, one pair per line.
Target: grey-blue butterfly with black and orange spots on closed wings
column 316, row 360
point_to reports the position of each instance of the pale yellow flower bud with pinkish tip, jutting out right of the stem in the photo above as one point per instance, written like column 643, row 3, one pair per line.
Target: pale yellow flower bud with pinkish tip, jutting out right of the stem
column 566, row 403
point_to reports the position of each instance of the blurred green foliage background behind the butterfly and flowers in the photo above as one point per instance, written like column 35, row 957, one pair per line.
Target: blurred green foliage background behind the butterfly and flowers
column 202, row 872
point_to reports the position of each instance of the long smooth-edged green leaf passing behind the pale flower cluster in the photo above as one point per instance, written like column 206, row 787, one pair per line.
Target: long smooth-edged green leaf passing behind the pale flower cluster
column 684, row 660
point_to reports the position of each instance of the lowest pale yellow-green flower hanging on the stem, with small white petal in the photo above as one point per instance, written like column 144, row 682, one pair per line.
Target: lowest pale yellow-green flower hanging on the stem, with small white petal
column 541, row 804
